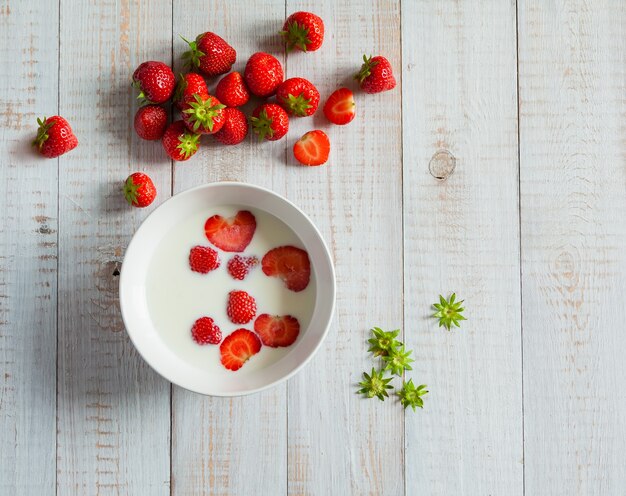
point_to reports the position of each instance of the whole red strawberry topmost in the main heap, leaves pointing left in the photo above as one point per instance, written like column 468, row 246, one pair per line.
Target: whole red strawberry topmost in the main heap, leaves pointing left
column 211, row 54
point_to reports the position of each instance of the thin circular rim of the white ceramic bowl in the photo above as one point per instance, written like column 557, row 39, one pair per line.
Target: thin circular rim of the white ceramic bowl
column 134, row 337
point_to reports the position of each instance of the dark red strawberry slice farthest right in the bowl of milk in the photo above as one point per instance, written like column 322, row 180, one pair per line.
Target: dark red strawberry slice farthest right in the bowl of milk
column 289, row 263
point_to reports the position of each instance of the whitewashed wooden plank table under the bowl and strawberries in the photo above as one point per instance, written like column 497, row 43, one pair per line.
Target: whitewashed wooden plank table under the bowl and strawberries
column 528, row 398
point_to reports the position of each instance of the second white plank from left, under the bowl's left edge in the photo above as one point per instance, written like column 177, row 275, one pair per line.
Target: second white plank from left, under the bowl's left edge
column 113, row 410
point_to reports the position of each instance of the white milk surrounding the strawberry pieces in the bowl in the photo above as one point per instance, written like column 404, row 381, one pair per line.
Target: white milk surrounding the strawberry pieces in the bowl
column 177, row 296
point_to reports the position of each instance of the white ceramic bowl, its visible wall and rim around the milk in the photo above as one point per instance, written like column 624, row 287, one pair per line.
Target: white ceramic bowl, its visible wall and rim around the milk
column 133, row 289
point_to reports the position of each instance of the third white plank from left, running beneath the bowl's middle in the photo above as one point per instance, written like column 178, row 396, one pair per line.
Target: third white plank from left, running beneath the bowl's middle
column 231, row 445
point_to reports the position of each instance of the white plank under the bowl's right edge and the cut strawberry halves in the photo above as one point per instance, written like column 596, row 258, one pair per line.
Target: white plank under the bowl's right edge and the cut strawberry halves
column 339, row 442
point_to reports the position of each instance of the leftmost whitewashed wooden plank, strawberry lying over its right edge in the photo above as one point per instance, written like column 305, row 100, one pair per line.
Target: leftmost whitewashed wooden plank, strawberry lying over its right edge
column 28, row 251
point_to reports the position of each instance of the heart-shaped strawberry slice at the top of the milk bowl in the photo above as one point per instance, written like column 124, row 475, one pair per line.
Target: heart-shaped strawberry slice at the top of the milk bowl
column 232, row 234
